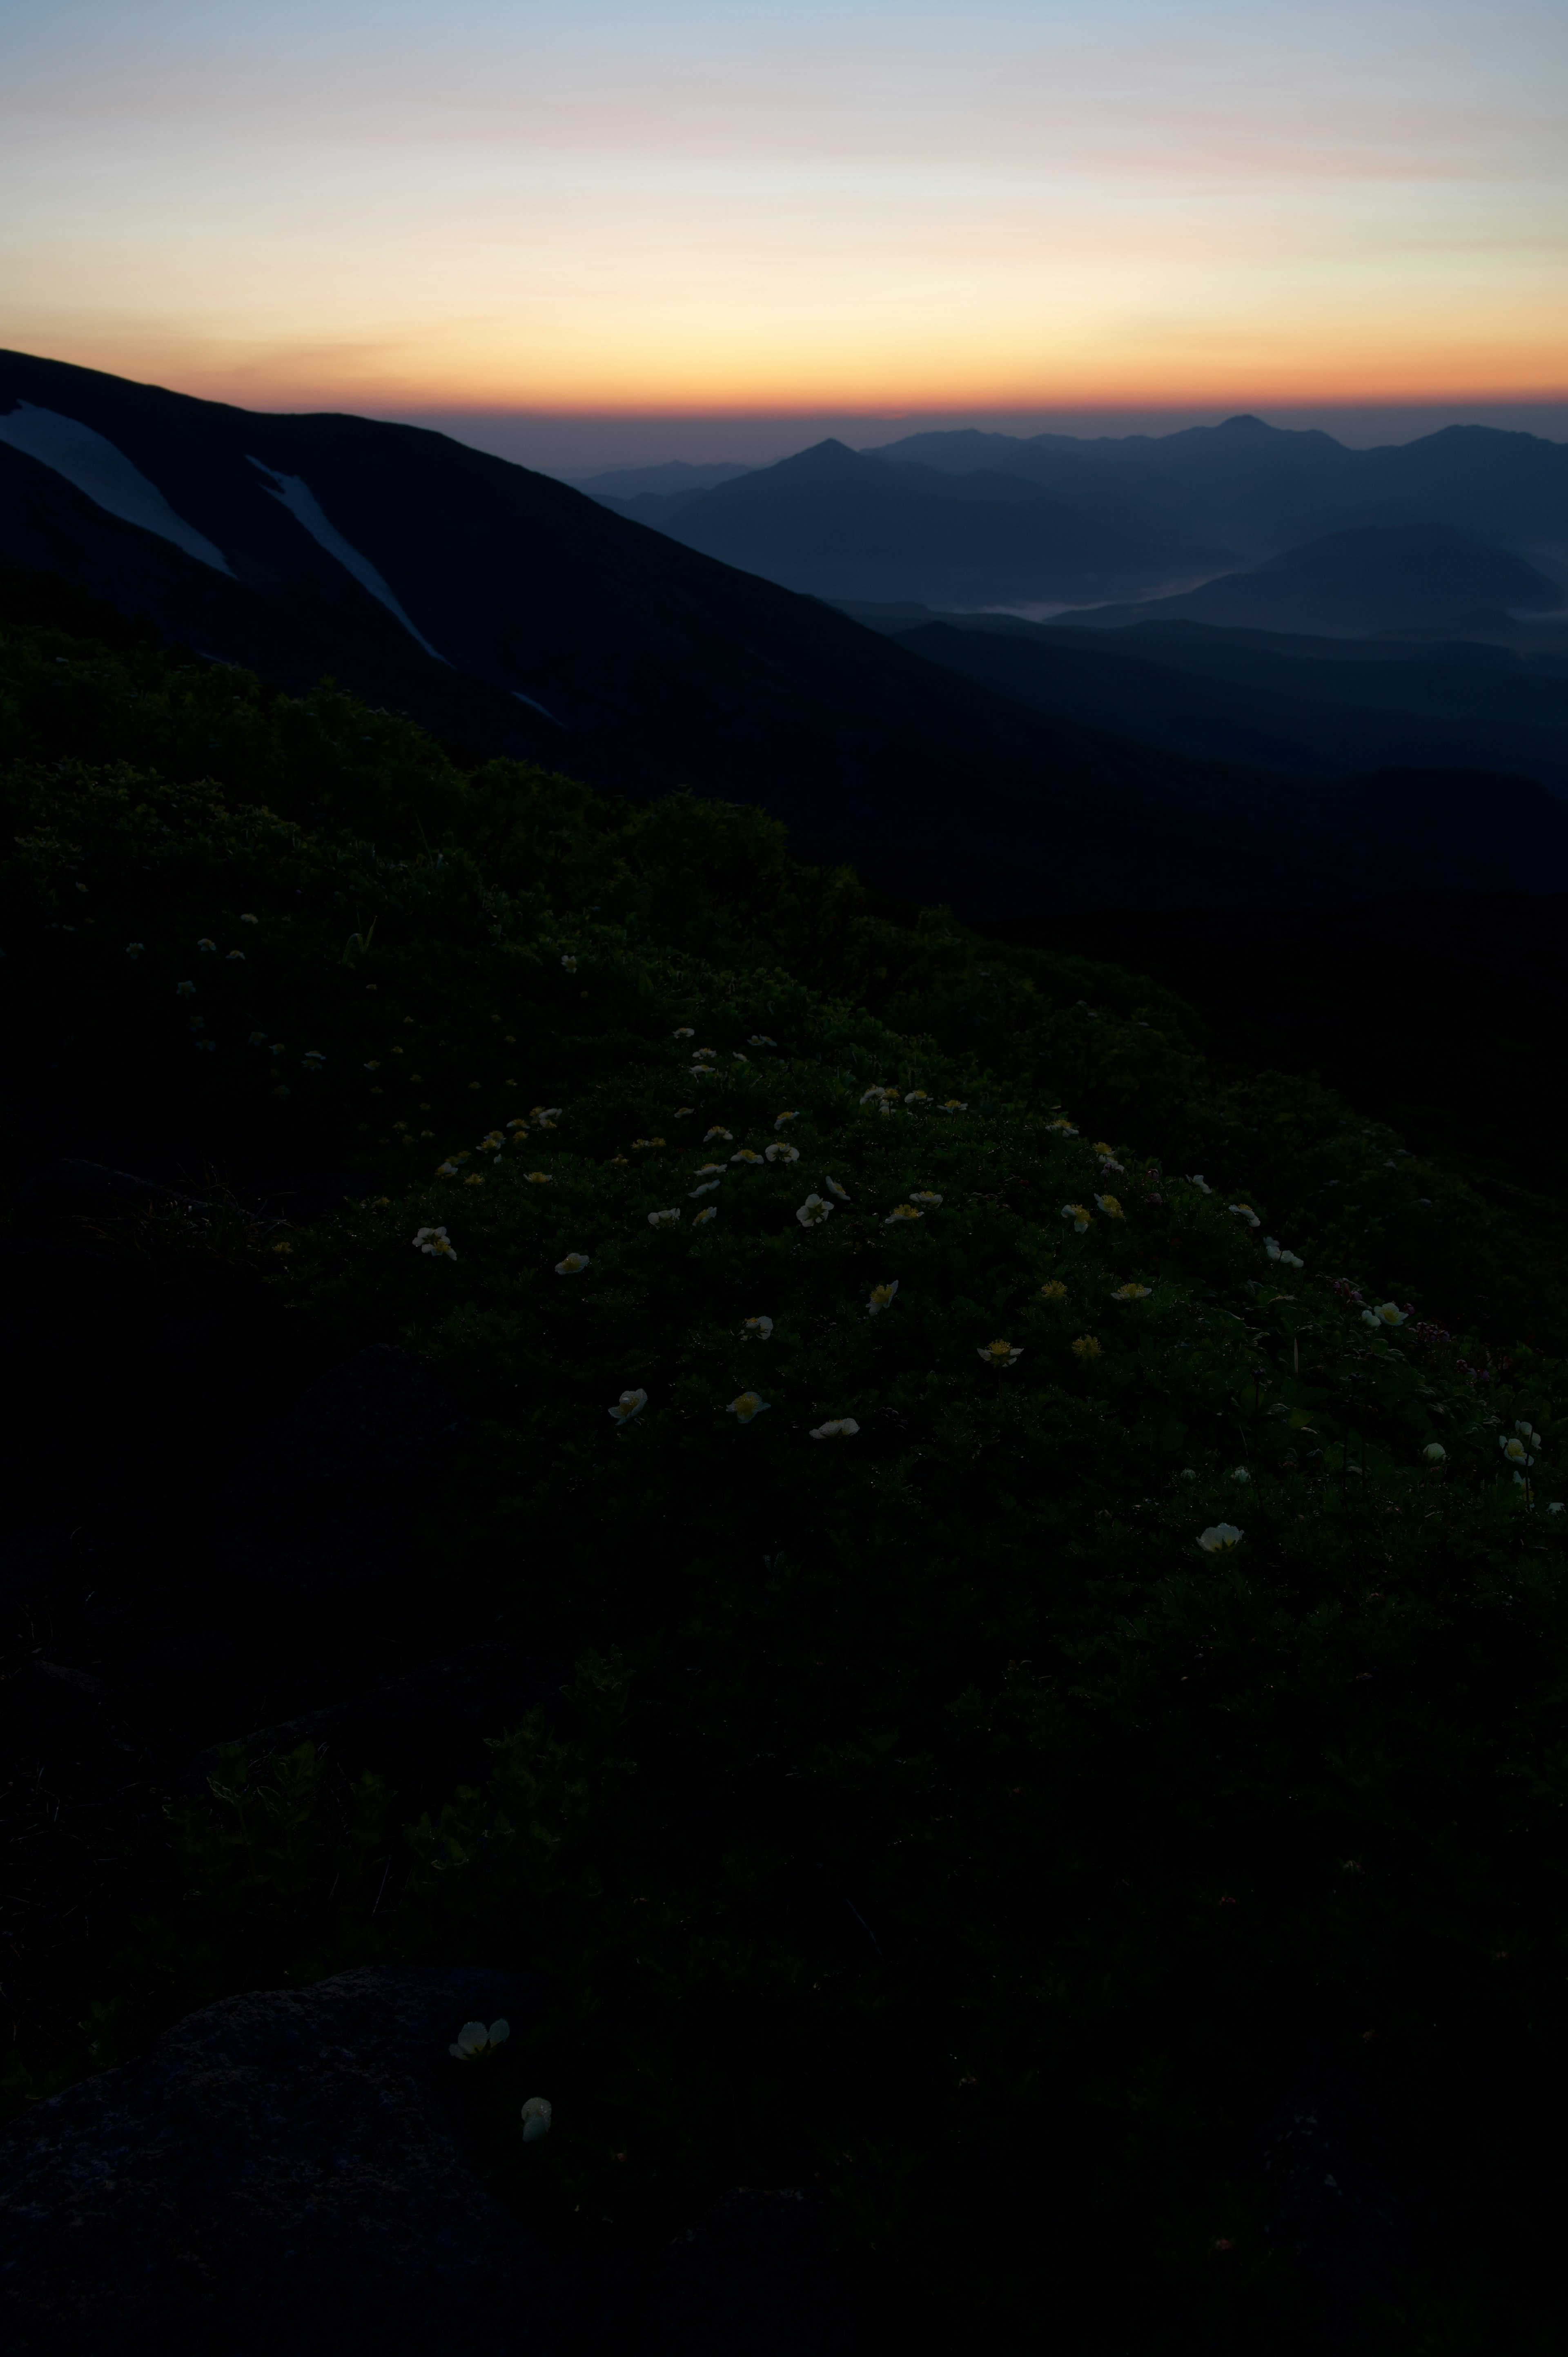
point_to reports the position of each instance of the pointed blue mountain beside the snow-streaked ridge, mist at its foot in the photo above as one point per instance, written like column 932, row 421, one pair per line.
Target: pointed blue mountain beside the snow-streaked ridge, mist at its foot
column 850, row 527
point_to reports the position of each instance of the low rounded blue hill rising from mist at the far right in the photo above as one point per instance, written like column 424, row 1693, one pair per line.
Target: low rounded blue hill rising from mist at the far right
column 1376, row 579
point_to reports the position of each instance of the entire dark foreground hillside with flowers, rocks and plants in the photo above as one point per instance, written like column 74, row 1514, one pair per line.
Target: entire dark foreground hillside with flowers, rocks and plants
column 895, row 1807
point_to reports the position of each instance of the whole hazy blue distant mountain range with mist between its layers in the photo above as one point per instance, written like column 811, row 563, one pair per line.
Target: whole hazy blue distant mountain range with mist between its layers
column 991, row 520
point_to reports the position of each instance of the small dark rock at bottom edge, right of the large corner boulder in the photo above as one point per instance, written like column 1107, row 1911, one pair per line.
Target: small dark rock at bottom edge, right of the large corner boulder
column 753, row 2280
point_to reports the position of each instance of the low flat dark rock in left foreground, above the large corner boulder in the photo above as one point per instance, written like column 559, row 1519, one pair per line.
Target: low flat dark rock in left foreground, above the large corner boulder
column 426, row 1734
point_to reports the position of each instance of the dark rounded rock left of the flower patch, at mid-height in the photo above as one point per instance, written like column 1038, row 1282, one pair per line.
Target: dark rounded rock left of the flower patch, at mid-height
column 322, row 1505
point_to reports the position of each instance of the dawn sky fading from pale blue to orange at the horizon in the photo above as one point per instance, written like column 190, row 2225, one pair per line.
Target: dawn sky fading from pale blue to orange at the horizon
column 647, row 227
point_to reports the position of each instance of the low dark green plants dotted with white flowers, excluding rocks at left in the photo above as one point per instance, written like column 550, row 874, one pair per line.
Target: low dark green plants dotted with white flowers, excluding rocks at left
column 1058, row 1559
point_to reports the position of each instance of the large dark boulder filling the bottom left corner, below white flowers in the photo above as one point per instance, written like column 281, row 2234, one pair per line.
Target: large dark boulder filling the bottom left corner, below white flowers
column 279, row 2174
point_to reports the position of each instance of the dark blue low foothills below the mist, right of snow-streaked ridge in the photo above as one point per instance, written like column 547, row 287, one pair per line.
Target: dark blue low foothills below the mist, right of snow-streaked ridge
column 1312, row 708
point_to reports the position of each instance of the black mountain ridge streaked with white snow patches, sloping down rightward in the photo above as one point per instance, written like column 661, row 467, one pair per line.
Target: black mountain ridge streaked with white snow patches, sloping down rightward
column 515, row 616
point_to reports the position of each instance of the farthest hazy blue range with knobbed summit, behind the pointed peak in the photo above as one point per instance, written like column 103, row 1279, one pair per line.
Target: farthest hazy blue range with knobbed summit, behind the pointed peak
column 1258, row 487
